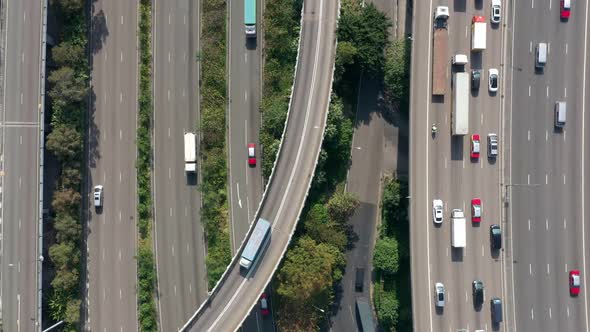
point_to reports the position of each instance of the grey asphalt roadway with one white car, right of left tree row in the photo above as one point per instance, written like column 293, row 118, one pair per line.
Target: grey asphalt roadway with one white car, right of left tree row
column 112, row 234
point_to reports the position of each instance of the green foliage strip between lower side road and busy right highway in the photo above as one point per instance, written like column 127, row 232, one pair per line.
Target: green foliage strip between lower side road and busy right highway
column 391, row 260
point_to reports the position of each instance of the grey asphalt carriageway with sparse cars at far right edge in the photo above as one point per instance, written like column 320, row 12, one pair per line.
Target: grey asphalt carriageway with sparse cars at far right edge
column 547, row 193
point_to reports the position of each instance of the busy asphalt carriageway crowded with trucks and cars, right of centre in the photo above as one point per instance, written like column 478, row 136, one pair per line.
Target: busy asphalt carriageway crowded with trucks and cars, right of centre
column 441, row 168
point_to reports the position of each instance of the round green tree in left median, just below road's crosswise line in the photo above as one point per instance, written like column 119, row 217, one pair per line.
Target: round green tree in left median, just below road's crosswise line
column 65, row 143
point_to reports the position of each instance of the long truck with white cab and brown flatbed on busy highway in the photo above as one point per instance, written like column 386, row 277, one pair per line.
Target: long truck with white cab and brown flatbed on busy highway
column 440, row 60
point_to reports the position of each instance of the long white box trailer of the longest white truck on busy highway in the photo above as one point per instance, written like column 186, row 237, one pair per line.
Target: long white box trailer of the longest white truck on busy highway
column 460, row 115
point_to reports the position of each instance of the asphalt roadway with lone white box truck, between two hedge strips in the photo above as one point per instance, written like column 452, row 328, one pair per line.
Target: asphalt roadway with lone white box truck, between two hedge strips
column 180, row 247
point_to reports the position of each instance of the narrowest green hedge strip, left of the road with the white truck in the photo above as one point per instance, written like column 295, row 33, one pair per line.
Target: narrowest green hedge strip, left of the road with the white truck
column 146, row 273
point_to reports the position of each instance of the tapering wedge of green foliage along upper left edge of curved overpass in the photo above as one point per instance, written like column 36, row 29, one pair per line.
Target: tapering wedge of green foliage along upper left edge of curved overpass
column 282, row 24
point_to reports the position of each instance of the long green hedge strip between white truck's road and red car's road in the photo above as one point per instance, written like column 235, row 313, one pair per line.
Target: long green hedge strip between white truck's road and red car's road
column 214, row 212
